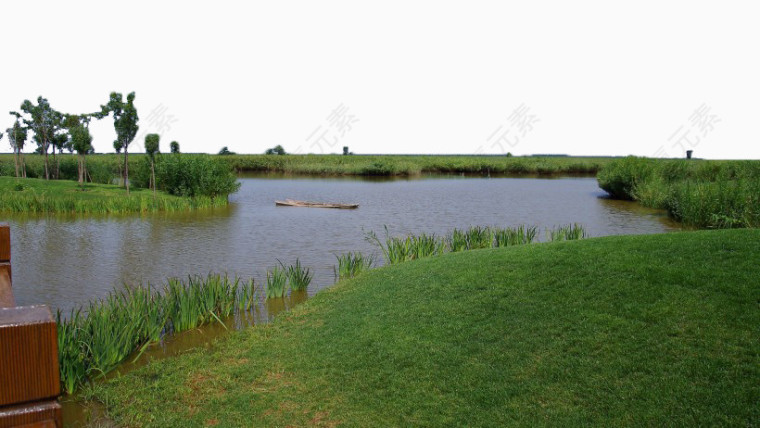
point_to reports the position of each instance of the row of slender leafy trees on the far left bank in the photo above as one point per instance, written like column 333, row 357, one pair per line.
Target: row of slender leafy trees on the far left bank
column 59, row 131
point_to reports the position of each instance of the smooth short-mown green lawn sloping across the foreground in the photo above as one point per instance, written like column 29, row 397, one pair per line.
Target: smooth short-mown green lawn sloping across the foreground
column 636, row 330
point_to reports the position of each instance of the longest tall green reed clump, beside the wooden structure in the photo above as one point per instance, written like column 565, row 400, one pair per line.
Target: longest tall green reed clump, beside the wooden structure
column 93, row 340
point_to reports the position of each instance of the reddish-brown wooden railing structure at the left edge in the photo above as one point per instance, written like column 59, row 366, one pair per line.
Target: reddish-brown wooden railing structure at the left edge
column 29, row 377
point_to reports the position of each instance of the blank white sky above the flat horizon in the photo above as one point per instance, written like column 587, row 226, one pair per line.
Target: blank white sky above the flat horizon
column 647, row 78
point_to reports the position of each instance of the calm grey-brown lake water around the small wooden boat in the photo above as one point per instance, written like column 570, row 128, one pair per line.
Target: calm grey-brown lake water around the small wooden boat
column 64, row 261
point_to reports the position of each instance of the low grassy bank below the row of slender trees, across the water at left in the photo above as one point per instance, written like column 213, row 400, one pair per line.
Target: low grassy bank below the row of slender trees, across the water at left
column 33, row 195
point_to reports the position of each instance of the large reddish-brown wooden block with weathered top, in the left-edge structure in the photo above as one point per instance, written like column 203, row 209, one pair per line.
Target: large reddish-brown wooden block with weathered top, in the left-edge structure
column 28, row 355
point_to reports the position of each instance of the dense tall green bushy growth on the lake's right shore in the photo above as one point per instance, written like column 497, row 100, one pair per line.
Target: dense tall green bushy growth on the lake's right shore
column 705, row 194
